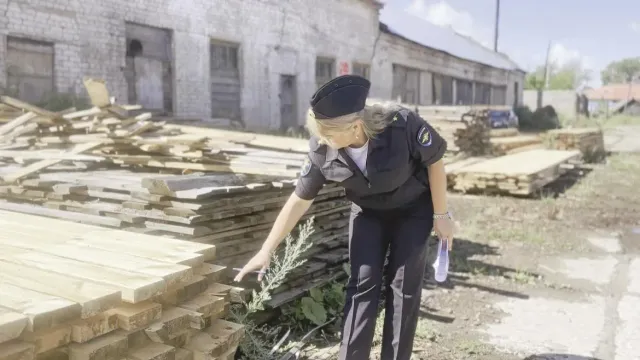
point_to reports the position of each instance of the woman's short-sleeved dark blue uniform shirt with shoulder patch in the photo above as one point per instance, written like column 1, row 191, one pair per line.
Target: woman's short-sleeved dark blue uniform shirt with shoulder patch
column 397, row 163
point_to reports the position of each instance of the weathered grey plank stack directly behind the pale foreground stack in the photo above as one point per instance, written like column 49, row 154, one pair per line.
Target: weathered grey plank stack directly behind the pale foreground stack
column 228, row 210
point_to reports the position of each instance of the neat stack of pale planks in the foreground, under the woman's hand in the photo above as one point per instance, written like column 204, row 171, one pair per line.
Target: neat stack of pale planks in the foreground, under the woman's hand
column 79, row 292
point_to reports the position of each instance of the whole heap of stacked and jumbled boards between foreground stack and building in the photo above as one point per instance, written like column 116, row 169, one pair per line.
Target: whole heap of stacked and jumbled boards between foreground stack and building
column 108, row 166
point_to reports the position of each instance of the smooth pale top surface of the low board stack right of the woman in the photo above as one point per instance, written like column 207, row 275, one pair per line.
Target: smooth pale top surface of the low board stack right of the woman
column 523, row 163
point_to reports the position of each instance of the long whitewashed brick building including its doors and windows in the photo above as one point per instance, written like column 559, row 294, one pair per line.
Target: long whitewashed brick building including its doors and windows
column 255, row 60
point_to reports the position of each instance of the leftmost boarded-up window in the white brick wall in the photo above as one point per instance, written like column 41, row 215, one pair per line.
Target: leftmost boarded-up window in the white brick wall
column 30, row 69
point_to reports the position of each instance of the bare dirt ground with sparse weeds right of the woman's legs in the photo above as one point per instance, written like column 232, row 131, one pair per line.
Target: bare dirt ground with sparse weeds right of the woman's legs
column 500, row 244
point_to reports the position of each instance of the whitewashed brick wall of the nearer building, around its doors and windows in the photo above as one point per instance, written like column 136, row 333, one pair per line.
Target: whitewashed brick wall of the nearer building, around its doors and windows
column 275, row 37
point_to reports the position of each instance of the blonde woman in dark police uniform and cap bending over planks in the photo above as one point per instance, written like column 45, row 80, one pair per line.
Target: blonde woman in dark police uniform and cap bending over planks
column 389, row 161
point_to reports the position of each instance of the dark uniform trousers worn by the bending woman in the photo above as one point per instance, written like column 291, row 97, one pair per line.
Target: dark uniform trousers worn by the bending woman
column 404, row 232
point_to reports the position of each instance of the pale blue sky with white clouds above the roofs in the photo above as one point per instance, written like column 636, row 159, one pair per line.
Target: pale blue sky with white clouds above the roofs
column 593, row 32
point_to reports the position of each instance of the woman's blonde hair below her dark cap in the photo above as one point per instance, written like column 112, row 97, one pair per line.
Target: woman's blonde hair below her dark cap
column 375, row 118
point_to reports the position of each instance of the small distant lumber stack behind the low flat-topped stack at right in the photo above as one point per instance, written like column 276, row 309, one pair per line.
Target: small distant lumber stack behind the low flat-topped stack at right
column 589, row 141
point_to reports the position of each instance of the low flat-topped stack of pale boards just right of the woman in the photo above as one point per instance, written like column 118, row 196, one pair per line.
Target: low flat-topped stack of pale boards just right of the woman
column 521, row 173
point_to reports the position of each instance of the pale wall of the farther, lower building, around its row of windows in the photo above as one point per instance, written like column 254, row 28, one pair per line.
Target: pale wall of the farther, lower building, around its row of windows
column 392, row 50
